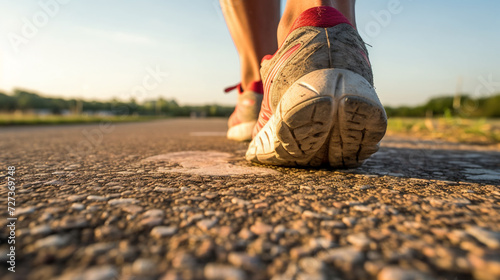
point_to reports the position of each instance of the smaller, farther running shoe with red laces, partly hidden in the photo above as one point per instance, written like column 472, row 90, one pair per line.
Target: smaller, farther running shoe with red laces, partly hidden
column 241, row 123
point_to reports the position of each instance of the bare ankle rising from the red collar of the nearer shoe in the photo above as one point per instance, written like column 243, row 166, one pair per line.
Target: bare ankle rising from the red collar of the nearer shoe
column 295, row 7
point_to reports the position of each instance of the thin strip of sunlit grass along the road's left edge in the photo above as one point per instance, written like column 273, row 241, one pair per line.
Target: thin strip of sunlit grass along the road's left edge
column 28, row 119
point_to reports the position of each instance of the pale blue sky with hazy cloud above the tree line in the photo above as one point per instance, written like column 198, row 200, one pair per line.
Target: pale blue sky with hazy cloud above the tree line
column 105, row 49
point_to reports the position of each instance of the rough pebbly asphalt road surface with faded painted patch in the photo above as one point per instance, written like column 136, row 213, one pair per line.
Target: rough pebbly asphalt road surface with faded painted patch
column 175, row 200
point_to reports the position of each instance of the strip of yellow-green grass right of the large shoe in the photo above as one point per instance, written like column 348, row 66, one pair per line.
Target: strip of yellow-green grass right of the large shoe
column 478, row 131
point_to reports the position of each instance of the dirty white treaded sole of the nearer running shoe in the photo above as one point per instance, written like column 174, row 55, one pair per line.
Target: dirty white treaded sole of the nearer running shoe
column 329, row 116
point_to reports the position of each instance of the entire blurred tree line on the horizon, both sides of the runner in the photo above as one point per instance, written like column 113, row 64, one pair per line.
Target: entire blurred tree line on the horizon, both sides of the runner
column 463, row 106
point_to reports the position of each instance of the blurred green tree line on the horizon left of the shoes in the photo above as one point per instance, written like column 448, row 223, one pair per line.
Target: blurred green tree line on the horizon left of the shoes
column 25, row 101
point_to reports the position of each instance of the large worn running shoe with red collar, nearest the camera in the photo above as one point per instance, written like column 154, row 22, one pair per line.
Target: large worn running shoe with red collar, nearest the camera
column 320, row 106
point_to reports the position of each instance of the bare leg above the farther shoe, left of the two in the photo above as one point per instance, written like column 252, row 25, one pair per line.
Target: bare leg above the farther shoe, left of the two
column 253, row 25
